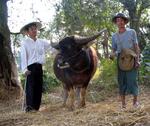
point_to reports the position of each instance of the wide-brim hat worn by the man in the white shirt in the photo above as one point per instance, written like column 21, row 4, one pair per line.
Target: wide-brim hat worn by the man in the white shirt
column 25, row 27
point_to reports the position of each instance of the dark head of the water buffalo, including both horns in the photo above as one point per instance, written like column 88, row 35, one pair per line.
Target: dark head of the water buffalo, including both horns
column 70, row 47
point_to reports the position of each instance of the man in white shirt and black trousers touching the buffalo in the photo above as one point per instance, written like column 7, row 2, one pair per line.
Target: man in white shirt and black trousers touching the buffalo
column 32, row 57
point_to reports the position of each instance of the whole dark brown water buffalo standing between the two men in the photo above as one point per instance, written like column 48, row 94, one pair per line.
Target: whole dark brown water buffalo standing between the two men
column 74, row 65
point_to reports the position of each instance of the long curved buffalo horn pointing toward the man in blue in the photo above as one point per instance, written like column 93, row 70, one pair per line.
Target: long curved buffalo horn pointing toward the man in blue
column 84, row 40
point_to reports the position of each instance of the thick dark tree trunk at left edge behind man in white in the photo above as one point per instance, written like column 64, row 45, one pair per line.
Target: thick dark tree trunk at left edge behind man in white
column 9, row 84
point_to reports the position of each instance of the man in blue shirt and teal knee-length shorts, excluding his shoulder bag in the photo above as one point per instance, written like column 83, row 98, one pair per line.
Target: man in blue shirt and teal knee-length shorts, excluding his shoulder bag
column 126, row 38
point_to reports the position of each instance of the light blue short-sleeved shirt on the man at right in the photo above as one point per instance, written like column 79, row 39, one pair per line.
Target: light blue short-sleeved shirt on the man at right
column 126, row 39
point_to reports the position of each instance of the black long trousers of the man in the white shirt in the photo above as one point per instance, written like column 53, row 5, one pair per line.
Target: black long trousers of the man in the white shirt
column 34, row 87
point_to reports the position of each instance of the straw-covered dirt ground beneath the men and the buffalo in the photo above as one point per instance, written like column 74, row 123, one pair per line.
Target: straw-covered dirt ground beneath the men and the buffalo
column 103, row 113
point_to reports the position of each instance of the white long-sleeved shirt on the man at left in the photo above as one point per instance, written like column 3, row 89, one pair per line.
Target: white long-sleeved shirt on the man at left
column 33, row 52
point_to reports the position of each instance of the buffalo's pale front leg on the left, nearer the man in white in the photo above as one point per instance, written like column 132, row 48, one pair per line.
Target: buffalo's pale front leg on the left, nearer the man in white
column 71, row 99
